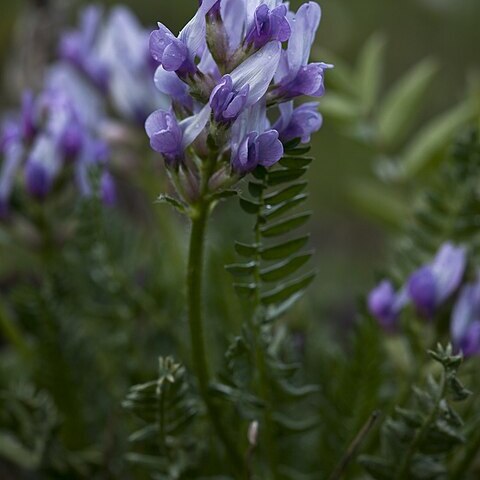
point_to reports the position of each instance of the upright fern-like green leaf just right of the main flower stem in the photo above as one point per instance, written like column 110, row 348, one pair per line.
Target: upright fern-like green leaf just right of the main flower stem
column 262, row 377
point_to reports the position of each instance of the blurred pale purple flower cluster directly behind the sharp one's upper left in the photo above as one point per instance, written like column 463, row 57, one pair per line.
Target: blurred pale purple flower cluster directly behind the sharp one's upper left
column 112, row 52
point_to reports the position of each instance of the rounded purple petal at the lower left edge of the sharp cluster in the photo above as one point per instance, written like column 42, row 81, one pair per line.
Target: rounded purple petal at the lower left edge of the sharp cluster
column 165, row 134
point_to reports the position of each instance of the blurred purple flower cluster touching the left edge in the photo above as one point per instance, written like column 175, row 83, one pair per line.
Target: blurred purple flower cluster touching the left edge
column 55, row 134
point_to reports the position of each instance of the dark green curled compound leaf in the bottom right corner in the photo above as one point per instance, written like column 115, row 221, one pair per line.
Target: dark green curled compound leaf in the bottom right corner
column 417, row 442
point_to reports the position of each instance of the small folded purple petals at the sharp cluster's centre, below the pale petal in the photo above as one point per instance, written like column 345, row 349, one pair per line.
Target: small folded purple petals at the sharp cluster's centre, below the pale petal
column 226, row 102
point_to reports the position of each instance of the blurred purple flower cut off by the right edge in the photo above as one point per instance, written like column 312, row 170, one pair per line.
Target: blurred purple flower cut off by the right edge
column 465, row 325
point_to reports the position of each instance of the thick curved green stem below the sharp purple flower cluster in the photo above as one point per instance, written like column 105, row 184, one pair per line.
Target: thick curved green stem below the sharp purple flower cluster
column 199, row 218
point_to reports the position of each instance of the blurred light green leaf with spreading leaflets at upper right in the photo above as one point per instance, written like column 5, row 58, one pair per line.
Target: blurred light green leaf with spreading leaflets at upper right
column 384, row 120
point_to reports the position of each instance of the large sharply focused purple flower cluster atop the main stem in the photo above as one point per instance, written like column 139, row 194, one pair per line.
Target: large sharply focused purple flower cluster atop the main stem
column 222, row 73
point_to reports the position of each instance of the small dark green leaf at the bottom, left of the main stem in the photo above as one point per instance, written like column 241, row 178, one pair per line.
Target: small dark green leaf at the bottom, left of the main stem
column 167, row 407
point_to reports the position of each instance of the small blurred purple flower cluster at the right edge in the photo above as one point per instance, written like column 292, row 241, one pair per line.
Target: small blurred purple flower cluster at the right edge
column 427, row 289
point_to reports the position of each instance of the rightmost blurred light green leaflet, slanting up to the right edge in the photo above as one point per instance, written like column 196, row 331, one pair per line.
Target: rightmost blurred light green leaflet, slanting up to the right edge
column 432, row 139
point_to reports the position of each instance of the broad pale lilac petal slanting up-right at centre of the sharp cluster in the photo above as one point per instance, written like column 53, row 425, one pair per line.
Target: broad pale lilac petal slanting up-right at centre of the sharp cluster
column 257, row 71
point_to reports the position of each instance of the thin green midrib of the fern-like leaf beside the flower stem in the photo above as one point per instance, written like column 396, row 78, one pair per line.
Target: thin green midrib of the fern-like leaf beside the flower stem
column 262, row 366
